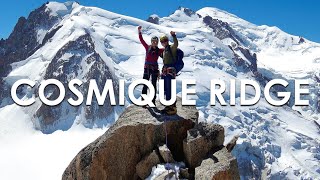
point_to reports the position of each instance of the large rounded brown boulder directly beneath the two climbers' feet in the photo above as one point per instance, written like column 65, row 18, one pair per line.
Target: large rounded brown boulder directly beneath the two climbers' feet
column 134, row 135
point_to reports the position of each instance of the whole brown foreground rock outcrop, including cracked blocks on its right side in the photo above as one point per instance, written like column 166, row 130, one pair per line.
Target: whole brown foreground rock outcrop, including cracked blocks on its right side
column 136, row 143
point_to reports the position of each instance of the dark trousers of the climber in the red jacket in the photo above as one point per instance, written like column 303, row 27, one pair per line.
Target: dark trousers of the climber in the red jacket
column 153, row 73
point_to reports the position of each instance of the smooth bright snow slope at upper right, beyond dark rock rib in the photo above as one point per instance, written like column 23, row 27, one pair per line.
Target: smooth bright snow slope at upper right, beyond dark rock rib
column 275, row 48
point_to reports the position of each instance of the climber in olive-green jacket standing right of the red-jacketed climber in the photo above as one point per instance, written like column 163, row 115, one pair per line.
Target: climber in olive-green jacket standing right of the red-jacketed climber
column 168, row 70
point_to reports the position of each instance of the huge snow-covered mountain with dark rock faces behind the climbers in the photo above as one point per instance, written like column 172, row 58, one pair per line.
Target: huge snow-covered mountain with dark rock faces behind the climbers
column 66, row 41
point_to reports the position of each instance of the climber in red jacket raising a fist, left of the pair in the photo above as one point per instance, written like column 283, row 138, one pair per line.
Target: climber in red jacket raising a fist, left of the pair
column 151, row 68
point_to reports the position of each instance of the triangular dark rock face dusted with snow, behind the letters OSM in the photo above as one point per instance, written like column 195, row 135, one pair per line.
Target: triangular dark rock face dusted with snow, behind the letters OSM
column 76, row 59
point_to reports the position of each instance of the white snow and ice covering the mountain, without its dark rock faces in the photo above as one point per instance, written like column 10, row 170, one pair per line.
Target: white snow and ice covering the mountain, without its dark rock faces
column 275, row 142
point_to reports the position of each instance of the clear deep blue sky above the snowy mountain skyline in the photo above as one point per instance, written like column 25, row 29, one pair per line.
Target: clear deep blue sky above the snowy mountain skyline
column 296, row 17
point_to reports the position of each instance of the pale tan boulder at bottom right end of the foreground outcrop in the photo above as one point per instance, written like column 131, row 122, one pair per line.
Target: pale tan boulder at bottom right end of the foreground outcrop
column 221, row 165
